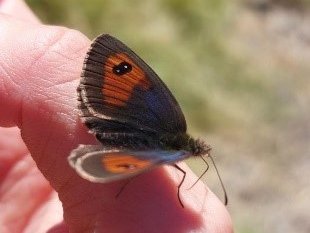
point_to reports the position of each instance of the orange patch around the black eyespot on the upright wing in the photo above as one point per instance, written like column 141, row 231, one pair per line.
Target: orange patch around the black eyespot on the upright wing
column 117, row 89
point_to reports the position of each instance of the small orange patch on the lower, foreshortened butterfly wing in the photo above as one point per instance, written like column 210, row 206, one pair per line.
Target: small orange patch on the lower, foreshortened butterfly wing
column 123, row 163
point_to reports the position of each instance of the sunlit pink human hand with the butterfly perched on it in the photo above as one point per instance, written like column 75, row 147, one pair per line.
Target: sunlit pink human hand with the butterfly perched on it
column 39, row 72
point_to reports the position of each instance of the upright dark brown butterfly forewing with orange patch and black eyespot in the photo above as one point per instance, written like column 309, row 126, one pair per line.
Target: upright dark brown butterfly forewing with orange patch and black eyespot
column 119, row 90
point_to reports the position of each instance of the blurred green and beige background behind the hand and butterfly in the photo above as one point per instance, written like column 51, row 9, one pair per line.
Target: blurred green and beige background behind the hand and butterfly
column 240, row 71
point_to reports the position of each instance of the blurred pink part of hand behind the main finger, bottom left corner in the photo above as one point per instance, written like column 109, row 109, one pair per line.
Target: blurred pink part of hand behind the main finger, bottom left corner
column 25, row 196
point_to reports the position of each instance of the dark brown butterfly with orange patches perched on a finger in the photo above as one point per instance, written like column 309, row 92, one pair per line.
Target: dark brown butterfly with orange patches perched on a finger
column 132, row 113
